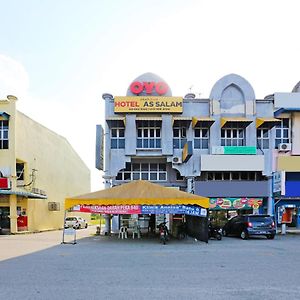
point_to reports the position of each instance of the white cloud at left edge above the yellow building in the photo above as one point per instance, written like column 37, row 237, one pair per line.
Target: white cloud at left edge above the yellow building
column 14, row 79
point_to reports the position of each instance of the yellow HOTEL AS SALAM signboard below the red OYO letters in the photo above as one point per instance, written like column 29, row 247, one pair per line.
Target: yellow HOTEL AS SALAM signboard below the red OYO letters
column 138, row 104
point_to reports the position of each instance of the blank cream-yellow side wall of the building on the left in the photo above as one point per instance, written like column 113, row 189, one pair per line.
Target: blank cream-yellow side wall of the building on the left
column 60, row 171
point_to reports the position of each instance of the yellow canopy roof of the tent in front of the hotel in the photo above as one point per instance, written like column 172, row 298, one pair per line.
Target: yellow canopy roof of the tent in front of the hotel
column 139, row 192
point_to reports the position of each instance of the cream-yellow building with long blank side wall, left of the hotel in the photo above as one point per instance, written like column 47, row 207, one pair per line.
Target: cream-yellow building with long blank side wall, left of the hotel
column 38, row 169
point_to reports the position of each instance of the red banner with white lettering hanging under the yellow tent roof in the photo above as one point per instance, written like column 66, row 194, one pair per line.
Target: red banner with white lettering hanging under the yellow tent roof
column 109, row 209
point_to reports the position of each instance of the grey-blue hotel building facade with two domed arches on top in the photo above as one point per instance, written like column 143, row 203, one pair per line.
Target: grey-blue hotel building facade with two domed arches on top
column 220, row 147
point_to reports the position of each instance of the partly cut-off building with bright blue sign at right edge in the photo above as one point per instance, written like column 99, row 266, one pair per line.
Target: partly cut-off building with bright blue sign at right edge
column 287, row 157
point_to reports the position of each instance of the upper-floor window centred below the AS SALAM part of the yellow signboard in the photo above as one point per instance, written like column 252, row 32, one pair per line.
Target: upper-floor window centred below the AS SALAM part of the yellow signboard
column 148, row 135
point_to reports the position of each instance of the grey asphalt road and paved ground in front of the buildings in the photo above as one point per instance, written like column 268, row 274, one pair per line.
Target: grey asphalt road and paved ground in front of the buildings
column 111, row 268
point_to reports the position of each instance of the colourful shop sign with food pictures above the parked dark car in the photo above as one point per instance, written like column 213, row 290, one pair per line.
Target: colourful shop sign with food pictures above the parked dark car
column 234, row 203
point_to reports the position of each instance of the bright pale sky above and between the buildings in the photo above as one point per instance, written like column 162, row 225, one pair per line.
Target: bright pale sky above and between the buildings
column 59, row 57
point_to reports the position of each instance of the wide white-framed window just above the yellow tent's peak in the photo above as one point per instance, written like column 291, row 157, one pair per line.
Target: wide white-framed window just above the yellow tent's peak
column 143, row 171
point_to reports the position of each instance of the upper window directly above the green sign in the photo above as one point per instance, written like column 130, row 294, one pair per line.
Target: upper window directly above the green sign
column 233, row 135
